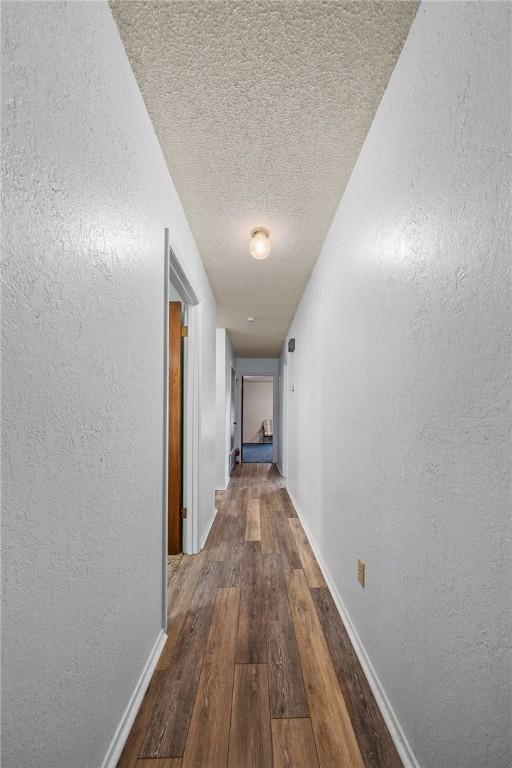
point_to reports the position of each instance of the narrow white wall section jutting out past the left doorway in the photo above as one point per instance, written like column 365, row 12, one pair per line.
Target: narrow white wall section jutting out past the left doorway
column 225, row 362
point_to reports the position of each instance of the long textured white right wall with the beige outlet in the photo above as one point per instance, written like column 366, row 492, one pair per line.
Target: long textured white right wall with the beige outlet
column 399, row 426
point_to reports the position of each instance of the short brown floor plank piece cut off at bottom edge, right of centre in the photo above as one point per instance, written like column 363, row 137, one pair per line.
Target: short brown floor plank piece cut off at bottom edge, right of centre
column 293, row 744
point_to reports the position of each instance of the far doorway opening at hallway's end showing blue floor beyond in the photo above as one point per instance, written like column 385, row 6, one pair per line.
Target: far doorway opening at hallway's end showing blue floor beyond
column 257, row 419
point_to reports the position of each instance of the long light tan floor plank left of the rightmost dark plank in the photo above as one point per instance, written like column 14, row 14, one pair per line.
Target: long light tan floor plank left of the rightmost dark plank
column 335, row 740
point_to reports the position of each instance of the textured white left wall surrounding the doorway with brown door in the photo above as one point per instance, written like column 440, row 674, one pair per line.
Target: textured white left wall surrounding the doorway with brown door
column 86, row 197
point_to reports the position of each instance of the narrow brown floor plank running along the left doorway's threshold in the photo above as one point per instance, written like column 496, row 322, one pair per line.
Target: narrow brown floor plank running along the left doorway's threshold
column 179, row 599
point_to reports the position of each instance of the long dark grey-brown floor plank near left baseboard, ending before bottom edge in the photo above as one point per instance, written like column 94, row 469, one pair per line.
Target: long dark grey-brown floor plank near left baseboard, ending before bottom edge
column 170, row 718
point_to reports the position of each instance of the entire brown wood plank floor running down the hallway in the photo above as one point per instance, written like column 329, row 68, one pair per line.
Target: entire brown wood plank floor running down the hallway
column 258, row 670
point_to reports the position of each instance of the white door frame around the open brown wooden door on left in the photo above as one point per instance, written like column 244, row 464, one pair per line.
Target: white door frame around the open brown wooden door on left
column 174, row 273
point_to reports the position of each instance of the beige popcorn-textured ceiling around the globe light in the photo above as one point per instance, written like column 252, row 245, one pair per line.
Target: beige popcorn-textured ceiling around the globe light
column 261, row 109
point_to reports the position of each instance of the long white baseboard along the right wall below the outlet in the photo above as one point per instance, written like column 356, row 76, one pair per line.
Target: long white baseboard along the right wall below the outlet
column 395, row 729
